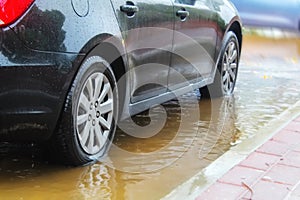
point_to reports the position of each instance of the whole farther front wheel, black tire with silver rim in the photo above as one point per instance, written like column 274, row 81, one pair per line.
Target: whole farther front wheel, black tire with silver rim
column 227, row 68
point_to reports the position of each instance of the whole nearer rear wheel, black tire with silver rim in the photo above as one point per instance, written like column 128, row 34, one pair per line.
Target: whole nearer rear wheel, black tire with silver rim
column 88, row 120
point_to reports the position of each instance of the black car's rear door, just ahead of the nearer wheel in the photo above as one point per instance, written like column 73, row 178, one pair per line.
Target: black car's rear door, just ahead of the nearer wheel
column 147, row 30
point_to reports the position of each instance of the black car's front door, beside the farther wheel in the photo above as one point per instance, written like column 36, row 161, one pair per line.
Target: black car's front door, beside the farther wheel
column 195, row 36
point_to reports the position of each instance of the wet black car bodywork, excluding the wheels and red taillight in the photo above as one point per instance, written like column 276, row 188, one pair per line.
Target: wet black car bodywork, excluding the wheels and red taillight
column 43, row 51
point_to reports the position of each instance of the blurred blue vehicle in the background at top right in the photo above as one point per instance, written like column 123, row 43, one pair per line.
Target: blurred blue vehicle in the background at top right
column 270, row 13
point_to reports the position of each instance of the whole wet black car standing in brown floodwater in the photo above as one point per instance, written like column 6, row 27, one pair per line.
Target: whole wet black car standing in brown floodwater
column 70, row 69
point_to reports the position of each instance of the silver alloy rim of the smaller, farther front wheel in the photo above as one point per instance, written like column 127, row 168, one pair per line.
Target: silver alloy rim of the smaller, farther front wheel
column 229, row 71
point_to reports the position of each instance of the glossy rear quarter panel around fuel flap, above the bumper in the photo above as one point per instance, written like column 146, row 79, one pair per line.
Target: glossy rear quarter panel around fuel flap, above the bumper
column 49, row 26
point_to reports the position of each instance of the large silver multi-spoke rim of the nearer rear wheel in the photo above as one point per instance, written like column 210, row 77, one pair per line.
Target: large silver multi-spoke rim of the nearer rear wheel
column 94, row 115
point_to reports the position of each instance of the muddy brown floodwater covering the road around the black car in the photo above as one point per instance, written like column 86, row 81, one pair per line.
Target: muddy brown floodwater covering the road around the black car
column 189, row 134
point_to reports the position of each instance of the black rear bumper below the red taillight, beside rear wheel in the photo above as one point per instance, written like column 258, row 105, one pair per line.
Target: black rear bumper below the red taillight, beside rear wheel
column 32, row 87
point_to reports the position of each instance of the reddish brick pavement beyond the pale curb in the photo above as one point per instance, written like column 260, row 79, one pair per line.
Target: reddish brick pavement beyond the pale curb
column 271, row 172
